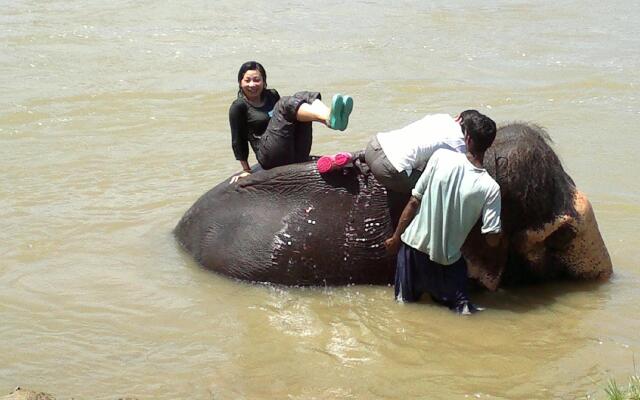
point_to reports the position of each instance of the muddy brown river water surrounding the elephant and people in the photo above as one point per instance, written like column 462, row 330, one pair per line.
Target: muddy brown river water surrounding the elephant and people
column 113, row 121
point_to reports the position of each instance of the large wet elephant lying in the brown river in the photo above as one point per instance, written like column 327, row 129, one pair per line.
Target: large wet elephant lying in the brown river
column 291, row 225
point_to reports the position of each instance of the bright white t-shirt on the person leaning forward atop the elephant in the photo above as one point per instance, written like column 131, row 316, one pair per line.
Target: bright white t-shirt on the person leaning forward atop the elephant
column 410, row 147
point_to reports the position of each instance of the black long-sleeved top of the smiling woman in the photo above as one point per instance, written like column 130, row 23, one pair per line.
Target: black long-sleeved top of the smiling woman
column 248, row 123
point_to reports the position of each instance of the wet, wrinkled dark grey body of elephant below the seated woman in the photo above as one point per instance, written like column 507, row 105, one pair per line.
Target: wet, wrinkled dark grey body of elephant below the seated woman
column 292, row 226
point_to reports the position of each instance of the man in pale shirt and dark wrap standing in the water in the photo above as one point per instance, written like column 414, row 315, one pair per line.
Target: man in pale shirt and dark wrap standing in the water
column 451, row 195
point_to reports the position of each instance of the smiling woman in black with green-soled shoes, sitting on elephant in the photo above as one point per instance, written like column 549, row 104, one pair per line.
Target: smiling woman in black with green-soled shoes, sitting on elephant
column 278, row 129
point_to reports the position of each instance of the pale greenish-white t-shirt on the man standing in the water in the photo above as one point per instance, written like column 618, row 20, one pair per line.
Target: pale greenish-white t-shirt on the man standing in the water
column 454, row 194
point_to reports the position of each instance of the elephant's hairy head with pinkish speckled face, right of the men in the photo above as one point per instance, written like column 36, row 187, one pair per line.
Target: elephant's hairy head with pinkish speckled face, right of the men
column 550, row 229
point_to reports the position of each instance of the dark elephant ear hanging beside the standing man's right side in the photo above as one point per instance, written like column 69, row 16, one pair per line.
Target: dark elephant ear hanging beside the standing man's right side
column 485, row 264
